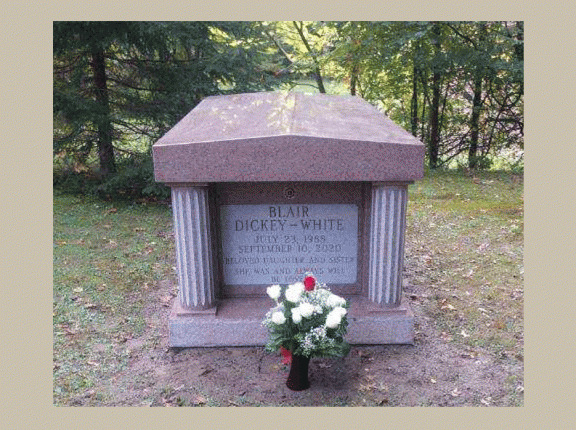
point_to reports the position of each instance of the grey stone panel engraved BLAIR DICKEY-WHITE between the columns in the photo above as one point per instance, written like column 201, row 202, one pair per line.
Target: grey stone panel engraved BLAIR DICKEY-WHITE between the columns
column 268, row 244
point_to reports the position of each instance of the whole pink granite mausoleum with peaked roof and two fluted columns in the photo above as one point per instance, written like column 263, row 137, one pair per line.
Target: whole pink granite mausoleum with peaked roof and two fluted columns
column 266, row 186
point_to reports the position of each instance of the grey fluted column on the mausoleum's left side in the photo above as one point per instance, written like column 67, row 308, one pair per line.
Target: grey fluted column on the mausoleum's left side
column 193, row 247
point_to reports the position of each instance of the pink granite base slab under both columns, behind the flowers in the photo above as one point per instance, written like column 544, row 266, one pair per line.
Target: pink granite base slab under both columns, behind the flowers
column 238, row 322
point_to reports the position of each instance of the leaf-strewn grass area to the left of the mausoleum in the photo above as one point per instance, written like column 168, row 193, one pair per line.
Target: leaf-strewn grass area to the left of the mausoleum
column 105, row 256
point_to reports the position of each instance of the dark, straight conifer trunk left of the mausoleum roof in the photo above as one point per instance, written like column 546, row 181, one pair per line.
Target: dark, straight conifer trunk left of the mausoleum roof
column 104, row 124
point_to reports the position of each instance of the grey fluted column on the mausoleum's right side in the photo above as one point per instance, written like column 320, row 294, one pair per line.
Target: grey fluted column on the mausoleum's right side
column 387, row 228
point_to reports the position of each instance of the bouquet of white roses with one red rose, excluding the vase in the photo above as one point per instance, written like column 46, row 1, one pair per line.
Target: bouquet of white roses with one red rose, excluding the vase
column 310, row 321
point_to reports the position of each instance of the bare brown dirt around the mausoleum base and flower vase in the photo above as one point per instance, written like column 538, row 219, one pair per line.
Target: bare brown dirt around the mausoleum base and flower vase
column 435, row 371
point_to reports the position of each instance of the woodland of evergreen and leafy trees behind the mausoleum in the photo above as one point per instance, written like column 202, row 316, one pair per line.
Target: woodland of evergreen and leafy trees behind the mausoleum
column 119, row 86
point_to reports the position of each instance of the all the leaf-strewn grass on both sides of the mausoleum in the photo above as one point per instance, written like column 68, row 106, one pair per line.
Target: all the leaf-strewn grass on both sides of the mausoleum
column 464, row 252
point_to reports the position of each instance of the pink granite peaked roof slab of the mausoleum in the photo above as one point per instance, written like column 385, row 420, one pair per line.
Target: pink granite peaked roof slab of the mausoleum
column 285, row 136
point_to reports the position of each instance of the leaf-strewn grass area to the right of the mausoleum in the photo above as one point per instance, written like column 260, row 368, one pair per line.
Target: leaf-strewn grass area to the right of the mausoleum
column 472, row 249
